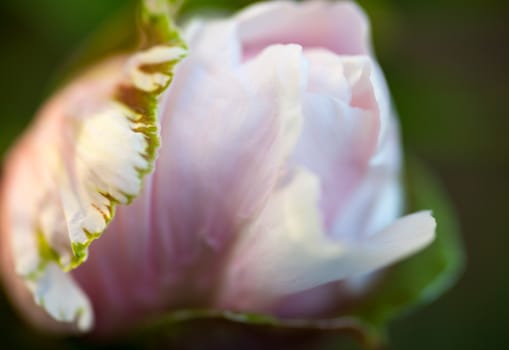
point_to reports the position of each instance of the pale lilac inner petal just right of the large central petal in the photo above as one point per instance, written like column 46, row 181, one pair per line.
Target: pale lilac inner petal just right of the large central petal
column 341, row 127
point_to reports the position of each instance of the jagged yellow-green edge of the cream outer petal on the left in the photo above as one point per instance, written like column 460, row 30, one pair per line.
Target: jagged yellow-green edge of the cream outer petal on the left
column 140, row 106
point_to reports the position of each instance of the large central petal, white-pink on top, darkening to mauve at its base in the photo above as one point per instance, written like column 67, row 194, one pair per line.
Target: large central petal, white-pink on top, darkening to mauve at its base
column 215, row 170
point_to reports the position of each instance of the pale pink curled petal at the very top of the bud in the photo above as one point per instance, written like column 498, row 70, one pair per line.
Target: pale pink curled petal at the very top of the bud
column 341, row 27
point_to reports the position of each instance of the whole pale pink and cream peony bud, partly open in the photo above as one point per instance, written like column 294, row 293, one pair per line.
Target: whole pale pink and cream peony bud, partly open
column 277, row 179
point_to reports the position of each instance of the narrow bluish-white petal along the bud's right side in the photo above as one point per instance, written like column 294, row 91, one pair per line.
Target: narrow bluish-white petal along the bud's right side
column 377, row 194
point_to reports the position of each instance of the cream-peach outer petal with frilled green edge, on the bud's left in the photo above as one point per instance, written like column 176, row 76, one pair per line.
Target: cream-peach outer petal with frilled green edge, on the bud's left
column 88, row 151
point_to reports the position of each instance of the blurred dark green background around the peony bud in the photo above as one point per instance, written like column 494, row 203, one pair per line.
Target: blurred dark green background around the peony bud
column 447, row 63
